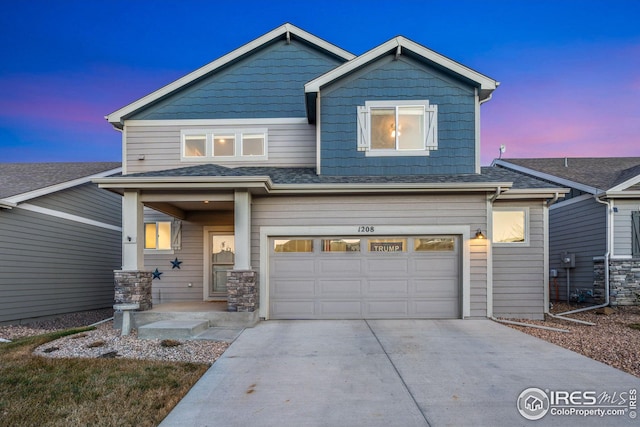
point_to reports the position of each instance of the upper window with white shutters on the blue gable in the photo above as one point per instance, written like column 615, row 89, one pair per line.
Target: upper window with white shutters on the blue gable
column 397, row 128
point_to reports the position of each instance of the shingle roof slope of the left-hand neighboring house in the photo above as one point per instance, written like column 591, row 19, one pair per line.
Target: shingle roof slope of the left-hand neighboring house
column 19, row 178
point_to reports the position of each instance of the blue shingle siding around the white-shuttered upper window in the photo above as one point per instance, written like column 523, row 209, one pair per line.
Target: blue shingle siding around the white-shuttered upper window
column 397, row 80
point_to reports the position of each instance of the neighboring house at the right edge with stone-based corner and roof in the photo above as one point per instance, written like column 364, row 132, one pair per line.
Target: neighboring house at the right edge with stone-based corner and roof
column 598, row 222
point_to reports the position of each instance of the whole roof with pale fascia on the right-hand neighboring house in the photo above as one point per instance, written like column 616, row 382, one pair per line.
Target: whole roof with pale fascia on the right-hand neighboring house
column 590, row 174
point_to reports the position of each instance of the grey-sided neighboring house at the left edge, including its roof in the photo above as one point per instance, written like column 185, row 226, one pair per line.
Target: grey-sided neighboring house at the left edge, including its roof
column 59, row 239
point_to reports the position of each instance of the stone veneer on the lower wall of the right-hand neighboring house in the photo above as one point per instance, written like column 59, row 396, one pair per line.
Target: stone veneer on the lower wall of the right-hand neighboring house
column 624, row 281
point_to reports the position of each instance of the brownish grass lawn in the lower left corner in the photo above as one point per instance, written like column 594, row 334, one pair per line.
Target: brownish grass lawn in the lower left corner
column 38, row 391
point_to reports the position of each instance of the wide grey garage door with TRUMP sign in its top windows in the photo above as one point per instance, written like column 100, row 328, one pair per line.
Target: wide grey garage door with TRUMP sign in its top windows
column 364, row 278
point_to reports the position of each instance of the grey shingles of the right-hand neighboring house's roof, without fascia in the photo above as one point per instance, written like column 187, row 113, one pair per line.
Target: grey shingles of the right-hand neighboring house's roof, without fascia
column 599, row 172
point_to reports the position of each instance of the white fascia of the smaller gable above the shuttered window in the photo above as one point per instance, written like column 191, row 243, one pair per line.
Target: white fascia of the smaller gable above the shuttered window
column 487, row 84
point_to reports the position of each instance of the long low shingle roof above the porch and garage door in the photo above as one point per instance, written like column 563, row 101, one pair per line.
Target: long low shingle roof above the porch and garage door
column 308, row 176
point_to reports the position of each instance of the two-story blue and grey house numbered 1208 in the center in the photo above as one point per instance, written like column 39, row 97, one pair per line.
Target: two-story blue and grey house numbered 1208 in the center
column 294, row 178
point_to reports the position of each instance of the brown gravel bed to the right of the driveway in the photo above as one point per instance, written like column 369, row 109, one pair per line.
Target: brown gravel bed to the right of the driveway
column 612, row 341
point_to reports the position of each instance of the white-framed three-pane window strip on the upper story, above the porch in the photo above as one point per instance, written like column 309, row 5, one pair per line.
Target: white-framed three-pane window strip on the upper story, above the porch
column 224, row 144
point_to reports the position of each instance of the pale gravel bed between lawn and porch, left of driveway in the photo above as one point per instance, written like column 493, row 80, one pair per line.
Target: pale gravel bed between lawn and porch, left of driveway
column 105, row 341
